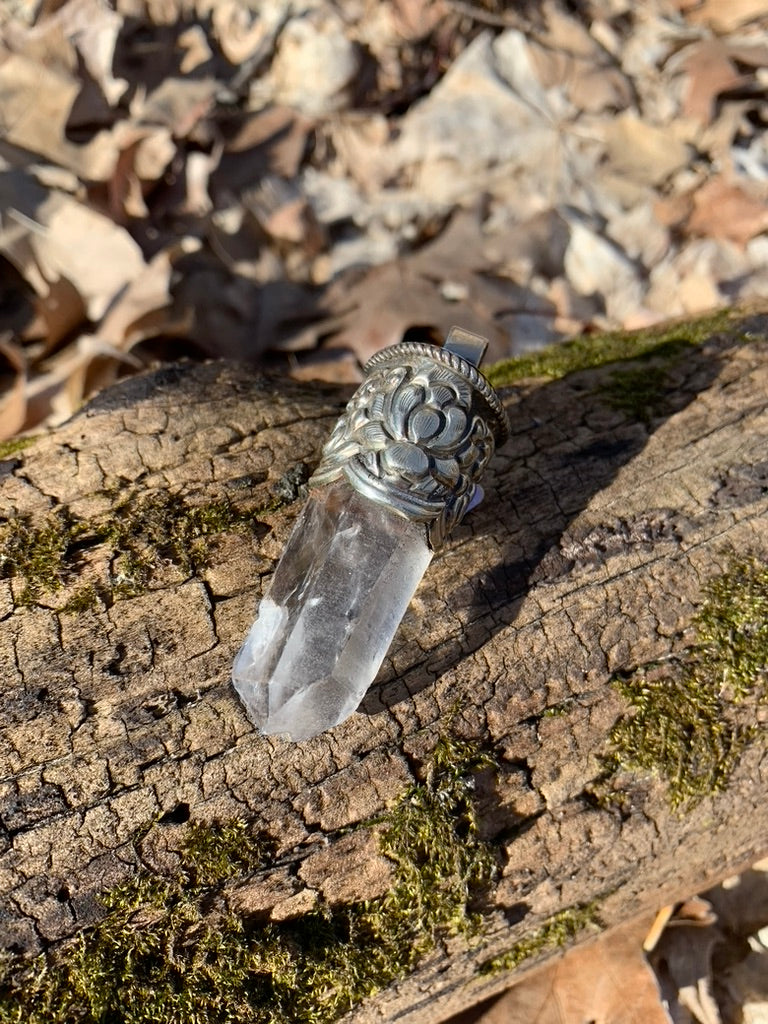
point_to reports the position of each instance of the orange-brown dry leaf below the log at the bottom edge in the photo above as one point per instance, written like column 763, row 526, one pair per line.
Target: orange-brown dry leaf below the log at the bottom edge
column 604, row 983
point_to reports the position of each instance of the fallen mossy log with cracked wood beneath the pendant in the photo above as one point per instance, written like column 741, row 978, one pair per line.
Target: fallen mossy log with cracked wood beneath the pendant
column 569, row 729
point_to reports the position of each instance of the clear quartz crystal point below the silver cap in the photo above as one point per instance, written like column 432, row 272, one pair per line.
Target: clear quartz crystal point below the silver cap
column 340, row 590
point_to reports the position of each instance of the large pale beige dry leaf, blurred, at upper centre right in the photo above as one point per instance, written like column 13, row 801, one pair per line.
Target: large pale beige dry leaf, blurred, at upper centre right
column 488, row 123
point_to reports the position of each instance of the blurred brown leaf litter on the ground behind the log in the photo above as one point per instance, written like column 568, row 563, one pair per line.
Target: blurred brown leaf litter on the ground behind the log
column 183, row 178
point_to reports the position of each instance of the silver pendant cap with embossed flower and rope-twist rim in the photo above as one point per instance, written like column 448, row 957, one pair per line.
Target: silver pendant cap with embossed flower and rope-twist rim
column 417, row 436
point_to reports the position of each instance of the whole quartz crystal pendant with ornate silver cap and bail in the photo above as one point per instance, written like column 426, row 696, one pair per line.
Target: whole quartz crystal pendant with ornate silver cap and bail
column 399, row 473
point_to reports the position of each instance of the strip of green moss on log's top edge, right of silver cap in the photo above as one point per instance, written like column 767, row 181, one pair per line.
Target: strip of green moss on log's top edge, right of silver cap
column 598, row 351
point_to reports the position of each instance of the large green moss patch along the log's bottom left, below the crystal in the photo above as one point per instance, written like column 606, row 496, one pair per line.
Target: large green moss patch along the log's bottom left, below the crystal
column 169, row 952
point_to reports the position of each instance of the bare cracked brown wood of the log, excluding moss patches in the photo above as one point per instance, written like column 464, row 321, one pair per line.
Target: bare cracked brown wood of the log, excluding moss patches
column 586, row 560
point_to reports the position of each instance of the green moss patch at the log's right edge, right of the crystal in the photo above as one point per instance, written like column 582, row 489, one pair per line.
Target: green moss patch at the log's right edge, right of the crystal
column 685, row 723
